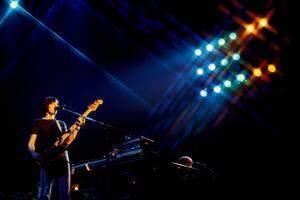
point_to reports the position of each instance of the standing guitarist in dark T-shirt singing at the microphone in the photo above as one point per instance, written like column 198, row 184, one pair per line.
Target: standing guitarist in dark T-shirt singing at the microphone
column 49, row 149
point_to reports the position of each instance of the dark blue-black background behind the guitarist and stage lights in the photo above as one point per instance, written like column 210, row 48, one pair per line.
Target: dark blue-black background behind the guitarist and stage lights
column 132, row 52
